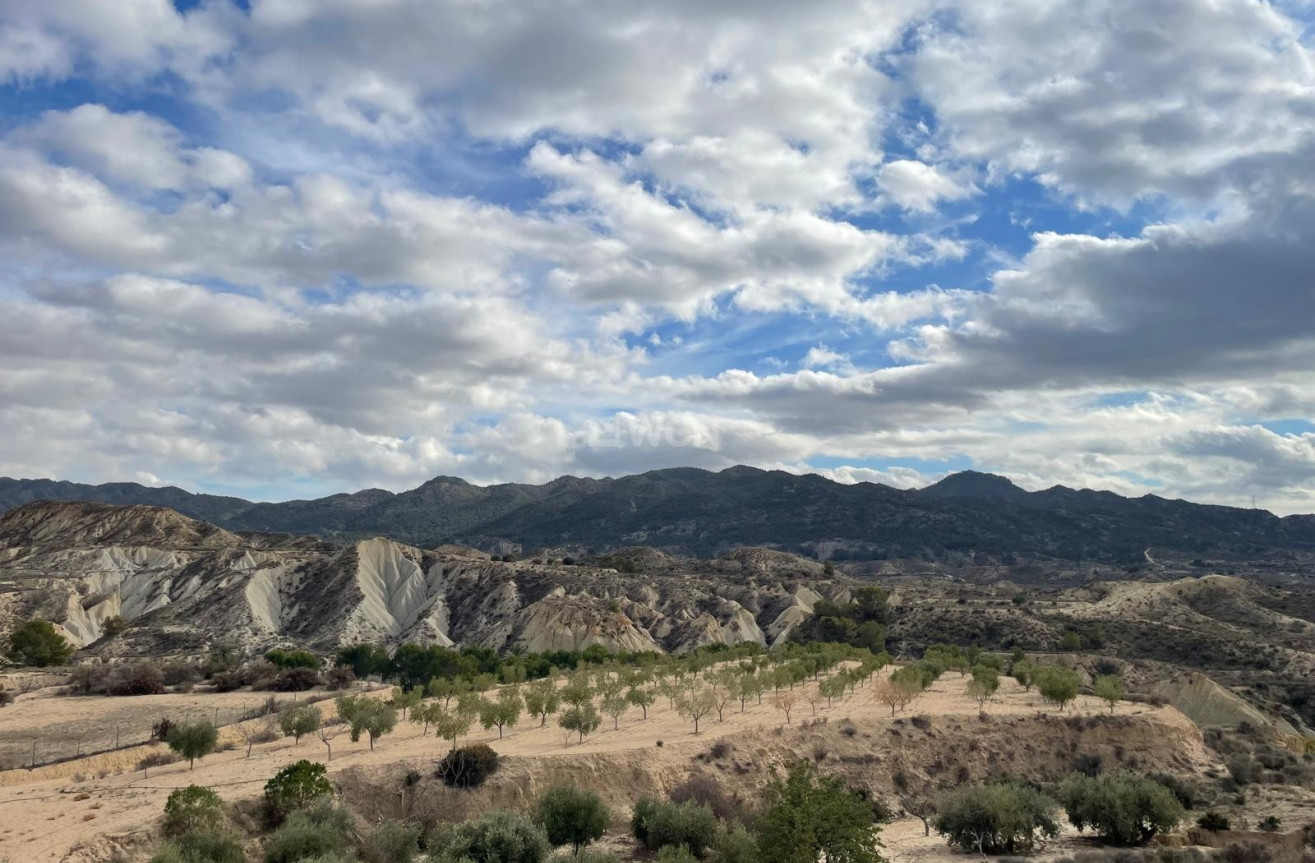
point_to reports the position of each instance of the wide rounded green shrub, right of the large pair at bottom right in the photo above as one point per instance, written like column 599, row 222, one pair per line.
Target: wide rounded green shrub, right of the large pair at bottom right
column 1122, row 808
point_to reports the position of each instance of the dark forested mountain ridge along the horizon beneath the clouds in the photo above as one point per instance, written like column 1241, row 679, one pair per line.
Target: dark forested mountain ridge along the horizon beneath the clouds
column 703, row 514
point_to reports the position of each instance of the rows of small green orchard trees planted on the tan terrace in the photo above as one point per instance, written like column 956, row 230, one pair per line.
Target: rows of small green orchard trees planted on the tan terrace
column 699, row 687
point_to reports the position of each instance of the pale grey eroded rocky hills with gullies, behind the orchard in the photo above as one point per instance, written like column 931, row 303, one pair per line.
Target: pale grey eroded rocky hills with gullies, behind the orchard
column 185, row 585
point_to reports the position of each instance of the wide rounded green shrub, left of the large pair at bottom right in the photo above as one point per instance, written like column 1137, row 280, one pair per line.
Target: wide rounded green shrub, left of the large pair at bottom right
column 999, row 819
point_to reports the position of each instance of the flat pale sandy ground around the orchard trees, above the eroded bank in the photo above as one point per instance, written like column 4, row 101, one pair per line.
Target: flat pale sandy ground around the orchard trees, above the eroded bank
column 48, row 812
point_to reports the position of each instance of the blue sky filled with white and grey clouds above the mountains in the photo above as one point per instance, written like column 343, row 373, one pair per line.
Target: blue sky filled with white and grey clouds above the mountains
column 290, row 248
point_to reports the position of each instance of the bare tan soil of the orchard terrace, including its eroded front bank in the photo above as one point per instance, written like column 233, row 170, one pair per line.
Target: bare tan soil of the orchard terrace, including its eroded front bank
column 87, row 810
